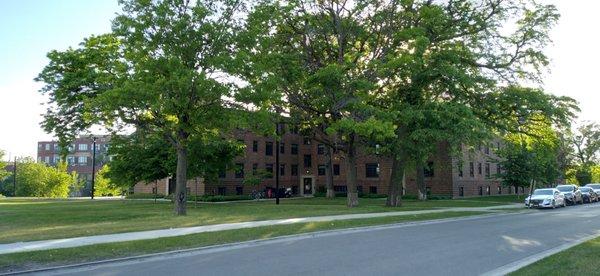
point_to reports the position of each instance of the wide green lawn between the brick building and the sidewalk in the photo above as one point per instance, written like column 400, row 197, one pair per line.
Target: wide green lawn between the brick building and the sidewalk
column 31, row 219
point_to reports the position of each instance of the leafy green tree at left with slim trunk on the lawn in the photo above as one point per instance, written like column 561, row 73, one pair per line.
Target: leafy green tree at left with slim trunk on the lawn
column 161, row 70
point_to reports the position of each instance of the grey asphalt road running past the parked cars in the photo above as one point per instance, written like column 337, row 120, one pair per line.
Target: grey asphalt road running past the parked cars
column 462, row 247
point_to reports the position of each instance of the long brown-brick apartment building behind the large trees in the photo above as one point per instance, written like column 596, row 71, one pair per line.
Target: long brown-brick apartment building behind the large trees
column 302, row 168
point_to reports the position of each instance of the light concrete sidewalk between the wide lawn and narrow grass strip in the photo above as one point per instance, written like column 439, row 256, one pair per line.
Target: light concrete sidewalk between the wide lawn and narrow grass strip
column 153, row 234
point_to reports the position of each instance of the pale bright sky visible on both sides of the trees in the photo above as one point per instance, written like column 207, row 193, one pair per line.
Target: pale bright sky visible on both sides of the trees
column 31, row 28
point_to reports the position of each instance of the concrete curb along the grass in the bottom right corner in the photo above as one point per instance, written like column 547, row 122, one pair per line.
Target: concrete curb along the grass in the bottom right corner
column 514, row 266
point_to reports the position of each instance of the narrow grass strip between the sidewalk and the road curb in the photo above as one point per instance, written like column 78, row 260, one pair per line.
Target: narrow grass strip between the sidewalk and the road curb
column 55, row 257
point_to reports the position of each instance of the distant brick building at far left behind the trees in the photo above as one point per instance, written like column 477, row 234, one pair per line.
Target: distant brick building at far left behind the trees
column 79, row 158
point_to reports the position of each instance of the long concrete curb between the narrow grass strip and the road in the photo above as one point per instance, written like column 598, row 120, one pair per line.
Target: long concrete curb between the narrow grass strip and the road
column 244, row 244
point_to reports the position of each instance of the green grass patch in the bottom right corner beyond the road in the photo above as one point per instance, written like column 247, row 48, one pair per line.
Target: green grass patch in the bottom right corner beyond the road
column 579, row 260
